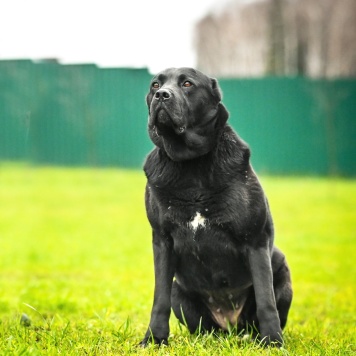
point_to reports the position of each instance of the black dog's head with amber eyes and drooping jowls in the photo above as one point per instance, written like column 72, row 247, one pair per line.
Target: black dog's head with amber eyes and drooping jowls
column 185, row 113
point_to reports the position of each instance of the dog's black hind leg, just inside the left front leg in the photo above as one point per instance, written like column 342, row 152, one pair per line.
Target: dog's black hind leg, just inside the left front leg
column 191, row 311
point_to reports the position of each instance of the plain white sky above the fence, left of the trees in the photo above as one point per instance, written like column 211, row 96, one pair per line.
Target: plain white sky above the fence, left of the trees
column 140, row 33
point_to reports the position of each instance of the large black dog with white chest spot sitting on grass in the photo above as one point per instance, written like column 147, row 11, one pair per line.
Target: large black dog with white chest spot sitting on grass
column 215, row 262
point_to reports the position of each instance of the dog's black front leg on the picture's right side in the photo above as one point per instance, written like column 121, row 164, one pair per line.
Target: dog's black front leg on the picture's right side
column 267, row 314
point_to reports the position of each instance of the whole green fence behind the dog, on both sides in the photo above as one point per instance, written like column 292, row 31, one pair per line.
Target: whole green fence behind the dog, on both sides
column 85, row 115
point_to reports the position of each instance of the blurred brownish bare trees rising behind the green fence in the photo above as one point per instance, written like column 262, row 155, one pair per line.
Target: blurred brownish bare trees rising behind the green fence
column 316, row 38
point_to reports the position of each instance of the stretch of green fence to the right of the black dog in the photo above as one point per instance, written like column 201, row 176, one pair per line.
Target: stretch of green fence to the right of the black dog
column 296, row 125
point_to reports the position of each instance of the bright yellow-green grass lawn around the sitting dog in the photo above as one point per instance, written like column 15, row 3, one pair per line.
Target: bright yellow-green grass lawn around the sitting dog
column 76, row 258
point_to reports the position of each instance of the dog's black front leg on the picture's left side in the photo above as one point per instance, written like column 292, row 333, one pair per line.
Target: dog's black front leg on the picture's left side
column 164, row 266
